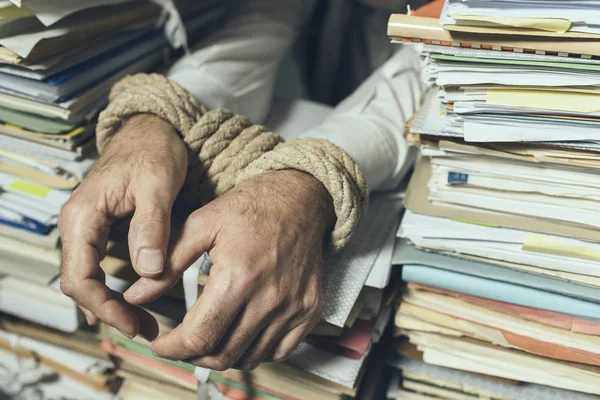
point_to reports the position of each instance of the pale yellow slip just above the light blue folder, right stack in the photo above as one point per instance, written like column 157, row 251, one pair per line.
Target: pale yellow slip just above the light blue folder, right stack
column 549, row 245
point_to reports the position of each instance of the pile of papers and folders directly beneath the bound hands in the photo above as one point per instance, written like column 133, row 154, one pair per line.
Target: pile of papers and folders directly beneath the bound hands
column 331, row 361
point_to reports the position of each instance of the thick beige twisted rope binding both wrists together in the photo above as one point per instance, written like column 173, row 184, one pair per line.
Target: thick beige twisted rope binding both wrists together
column 226, row 149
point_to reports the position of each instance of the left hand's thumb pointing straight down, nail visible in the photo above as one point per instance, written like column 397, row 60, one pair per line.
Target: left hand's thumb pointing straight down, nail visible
column 150, row 227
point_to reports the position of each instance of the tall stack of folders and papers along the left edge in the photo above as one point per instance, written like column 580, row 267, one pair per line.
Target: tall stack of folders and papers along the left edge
column 57, row 65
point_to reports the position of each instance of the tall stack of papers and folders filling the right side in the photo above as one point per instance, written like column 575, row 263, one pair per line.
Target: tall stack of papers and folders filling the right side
column 500, row 243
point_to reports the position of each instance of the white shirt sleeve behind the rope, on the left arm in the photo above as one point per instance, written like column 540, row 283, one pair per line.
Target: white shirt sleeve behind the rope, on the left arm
column 236, row 68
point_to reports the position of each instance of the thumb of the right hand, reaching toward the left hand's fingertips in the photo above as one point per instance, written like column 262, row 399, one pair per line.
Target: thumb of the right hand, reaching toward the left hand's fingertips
column 194, row 239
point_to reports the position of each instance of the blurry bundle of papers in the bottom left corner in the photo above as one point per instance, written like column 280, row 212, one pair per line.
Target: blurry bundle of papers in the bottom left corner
column 39, row 363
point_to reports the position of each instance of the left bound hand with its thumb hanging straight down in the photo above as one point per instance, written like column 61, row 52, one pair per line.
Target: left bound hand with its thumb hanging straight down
column 141, row 172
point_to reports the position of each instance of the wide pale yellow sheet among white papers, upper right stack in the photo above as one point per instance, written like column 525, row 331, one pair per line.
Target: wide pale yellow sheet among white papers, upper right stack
column 543, row 99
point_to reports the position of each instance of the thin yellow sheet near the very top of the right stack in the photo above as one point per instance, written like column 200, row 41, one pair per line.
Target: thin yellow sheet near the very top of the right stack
column 558, row 25
